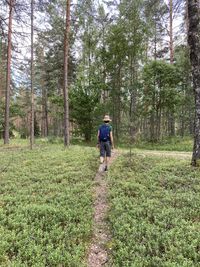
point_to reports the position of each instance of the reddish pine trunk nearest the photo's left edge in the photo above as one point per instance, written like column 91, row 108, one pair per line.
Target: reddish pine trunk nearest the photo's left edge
column 8, row 74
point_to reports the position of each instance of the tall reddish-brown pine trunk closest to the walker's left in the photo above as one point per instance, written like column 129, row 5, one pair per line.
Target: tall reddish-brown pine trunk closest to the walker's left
column 65, row 89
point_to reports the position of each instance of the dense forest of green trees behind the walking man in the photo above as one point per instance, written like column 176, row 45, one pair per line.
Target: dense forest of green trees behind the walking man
column 128, row 59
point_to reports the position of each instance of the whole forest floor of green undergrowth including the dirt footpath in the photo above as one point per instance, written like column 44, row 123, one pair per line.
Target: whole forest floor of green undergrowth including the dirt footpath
column 143, row 212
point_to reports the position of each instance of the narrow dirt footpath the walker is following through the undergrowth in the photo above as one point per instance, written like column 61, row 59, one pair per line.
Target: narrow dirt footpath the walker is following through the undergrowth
column 98, row 253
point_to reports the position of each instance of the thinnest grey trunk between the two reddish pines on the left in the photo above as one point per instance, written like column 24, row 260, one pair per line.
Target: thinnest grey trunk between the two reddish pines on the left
column 32, row 82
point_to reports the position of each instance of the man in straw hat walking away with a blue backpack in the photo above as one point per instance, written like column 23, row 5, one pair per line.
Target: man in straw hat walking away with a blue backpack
column 105, row 141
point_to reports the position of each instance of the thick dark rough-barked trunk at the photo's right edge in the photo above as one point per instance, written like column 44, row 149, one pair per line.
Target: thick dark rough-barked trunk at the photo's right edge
column 194, row 44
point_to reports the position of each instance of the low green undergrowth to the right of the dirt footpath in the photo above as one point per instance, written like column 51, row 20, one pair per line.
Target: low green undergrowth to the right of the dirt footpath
column 154, row 215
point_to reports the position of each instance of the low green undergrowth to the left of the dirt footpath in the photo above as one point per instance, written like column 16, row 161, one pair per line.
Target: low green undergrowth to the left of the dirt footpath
column 46, row 206
